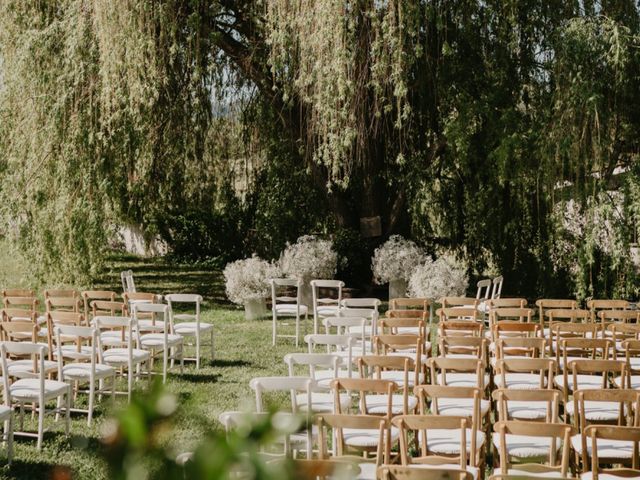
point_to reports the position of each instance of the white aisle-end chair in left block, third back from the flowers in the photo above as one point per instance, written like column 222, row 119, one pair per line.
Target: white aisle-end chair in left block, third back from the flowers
column 120, row 352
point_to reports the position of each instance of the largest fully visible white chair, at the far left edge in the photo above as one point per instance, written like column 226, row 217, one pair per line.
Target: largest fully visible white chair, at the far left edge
column 36, row 390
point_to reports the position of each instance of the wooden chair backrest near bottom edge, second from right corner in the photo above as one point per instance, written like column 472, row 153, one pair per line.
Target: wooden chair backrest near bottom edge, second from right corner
column 556, row 432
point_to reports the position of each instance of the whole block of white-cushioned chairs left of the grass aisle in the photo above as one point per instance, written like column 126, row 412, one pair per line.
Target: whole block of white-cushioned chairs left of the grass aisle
column 89, row 342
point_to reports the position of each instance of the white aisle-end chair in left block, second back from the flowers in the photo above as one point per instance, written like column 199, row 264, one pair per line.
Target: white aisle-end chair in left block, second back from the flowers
column 169, row 344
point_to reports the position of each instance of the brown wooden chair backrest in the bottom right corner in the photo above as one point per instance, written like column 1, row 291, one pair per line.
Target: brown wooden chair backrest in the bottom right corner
column 615, row 433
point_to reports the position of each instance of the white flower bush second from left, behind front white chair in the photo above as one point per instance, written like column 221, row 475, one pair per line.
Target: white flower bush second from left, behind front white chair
column 308, row 258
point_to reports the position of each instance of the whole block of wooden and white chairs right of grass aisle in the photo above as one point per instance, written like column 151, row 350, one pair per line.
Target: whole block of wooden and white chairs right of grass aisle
column 490, row 386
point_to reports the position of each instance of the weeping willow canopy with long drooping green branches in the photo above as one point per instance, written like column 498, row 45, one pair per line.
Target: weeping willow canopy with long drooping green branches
column 230, row 127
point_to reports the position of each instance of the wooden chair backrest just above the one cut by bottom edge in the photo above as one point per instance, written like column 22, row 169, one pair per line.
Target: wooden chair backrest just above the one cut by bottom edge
column 425, row 423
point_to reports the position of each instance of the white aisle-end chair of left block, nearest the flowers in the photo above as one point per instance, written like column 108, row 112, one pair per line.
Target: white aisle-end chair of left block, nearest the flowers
column 190, row 325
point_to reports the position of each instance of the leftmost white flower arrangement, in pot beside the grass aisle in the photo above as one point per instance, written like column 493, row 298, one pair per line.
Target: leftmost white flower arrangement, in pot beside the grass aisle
column 248, row 279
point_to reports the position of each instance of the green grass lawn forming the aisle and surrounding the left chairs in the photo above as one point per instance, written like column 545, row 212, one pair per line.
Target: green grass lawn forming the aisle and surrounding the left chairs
column 243, row 351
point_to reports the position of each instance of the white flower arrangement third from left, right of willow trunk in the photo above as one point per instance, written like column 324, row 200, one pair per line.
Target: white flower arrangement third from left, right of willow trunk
column 396, row 259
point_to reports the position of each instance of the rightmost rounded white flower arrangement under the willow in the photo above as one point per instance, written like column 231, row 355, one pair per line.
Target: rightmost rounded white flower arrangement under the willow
column 443, row 277
